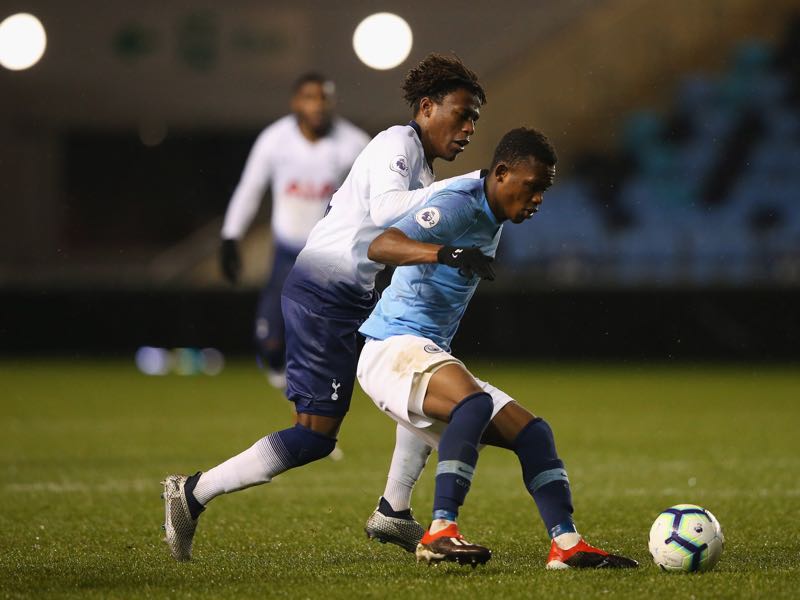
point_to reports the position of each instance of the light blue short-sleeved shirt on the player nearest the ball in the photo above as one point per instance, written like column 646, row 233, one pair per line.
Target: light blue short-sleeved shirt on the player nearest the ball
column 429, row 300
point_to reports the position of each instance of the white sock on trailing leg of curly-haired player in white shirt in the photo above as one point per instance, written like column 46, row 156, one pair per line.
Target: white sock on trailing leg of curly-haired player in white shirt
column 258, row 464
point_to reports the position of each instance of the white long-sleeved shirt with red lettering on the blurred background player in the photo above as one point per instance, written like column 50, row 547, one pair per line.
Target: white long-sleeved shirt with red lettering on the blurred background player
column 304, row 176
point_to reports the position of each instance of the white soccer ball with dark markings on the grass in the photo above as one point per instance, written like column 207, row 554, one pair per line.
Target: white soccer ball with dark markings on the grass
column 686, row 538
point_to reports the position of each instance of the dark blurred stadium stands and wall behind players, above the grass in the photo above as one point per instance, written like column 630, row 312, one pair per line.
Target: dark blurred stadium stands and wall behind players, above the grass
column 673, row 232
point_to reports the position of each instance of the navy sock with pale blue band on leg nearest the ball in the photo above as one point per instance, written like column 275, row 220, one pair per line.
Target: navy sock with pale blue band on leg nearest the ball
column 545, row 477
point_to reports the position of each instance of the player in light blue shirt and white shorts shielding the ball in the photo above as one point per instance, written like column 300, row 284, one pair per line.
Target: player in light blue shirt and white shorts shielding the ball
column 406, row 365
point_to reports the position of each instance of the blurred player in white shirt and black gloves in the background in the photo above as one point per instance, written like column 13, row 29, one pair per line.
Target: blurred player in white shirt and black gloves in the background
column 305, row 156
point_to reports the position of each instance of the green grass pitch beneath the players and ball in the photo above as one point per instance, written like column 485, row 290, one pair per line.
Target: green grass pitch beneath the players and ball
column 83, row 446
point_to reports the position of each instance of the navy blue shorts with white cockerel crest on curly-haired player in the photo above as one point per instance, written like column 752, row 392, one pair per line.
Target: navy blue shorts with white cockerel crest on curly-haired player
column 321, row 359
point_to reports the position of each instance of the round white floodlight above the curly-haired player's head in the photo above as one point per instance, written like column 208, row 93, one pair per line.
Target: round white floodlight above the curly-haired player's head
column 382, row 41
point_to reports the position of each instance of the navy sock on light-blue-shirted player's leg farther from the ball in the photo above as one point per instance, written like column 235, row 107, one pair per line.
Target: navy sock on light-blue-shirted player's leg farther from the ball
column 458, row 453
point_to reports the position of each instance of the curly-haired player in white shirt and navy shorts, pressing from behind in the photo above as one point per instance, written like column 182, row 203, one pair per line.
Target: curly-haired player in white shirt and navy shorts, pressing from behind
column 330, row 292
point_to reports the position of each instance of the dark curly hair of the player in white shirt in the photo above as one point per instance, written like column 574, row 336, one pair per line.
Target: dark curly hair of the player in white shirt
column 436, row 76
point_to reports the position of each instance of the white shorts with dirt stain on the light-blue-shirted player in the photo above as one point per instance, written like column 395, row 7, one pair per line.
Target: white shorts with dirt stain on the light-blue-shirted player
column 395, row 373
